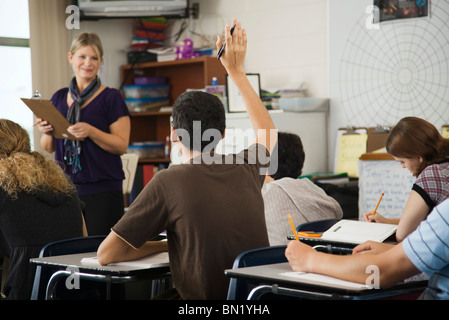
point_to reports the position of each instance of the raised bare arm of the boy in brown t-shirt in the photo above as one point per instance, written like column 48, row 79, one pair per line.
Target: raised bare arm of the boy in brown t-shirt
column 232, row 59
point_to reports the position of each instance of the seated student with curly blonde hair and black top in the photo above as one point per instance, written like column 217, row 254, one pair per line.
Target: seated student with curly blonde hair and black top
column 38, row 205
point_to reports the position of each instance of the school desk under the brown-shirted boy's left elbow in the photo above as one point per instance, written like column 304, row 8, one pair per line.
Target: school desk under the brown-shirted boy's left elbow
column 75, row 265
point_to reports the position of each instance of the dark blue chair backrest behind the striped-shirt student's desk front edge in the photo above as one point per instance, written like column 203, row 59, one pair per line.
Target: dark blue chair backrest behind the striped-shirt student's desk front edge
column 239, row 288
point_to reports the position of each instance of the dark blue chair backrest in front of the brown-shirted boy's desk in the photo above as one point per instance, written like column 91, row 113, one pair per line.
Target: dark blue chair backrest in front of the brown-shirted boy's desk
column 57, row 248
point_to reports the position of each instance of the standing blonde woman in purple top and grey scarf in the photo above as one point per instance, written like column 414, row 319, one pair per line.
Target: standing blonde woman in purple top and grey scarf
column 99, row 116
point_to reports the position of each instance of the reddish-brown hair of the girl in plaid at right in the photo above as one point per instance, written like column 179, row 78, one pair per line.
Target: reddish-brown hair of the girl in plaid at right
column 415, row 137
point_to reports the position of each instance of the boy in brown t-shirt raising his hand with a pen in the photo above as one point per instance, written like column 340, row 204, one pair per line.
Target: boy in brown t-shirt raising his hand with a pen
column 211, row 210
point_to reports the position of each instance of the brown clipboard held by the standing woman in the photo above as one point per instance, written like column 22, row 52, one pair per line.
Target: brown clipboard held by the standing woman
column 44, row 109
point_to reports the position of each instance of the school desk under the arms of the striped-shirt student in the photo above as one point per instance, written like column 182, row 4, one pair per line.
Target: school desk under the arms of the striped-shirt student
column 280, row 279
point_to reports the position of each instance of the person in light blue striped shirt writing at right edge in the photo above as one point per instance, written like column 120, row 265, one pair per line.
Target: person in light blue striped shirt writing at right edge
column 426, row 249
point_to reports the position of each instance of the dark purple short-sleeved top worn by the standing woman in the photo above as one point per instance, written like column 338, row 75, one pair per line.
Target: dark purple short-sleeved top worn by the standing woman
column 101, row 171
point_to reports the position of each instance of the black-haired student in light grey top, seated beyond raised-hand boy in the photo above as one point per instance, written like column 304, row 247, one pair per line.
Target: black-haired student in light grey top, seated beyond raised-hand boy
column 283, row 192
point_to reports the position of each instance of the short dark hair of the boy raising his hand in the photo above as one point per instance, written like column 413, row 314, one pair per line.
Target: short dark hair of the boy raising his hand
column 207, row 111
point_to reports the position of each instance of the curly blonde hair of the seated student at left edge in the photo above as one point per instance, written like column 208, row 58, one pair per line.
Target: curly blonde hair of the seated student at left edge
column 24, row 171
